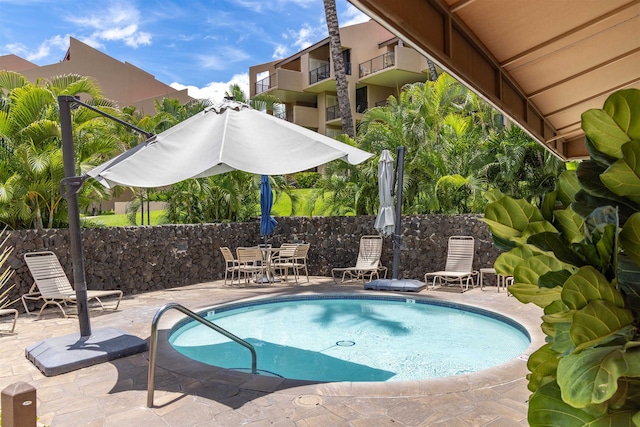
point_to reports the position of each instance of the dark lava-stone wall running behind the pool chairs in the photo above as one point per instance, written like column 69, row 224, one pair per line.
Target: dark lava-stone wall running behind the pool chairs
column 146, row 258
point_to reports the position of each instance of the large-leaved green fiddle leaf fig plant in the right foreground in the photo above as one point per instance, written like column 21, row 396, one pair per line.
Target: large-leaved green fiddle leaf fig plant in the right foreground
column 578, row 257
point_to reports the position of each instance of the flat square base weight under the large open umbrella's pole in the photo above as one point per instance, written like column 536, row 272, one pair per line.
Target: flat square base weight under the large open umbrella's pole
column 68, row 353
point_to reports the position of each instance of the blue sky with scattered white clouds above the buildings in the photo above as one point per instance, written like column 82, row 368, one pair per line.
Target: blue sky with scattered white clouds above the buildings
column 201, row 45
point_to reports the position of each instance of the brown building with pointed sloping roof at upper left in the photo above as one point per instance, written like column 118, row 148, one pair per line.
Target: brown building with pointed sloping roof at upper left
column 121, row 82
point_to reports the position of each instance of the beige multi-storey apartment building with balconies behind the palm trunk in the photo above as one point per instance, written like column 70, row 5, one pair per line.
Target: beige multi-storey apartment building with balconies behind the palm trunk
column 377, row 64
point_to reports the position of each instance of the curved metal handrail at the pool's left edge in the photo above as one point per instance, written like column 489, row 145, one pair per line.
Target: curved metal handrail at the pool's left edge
column 153, row 343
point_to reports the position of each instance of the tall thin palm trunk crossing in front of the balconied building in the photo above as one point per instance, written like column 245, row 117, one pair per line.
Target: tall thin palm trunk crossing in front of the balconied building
column 339, row 67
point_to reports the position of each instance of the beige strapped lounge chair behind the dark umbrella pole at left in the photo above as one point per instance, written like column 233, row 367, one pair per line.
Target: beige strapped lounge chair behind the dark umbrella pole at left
column 52, row 286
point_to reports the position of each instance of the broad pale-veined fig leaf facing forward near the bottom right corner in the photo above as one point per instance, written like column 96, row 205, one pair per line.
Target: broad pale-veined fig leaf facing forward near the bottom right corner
column 591, row 376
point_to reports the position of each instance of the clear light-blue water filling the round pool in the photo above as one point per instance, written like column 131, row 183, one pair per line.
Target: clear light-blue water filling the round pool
column 354, row 338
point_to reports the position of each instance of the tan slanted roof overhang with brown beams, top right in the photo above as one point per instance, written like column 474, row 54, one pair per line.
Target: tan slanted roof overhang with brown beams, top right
column 542, row 63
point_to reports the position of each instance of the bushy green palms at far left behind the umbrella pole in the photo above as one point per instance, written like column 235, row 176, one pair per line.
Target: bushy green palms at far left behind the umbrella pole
column 31, row 166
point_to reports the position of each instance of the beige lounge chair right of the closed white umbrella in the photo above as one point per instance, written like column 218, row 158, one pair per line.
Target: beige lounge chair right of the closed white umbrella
column 459, row 265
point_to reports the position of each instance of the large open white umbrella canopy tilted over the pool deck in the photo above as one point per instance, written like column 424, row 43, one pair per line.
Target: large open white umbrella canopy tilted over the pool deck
column 225, row 137
